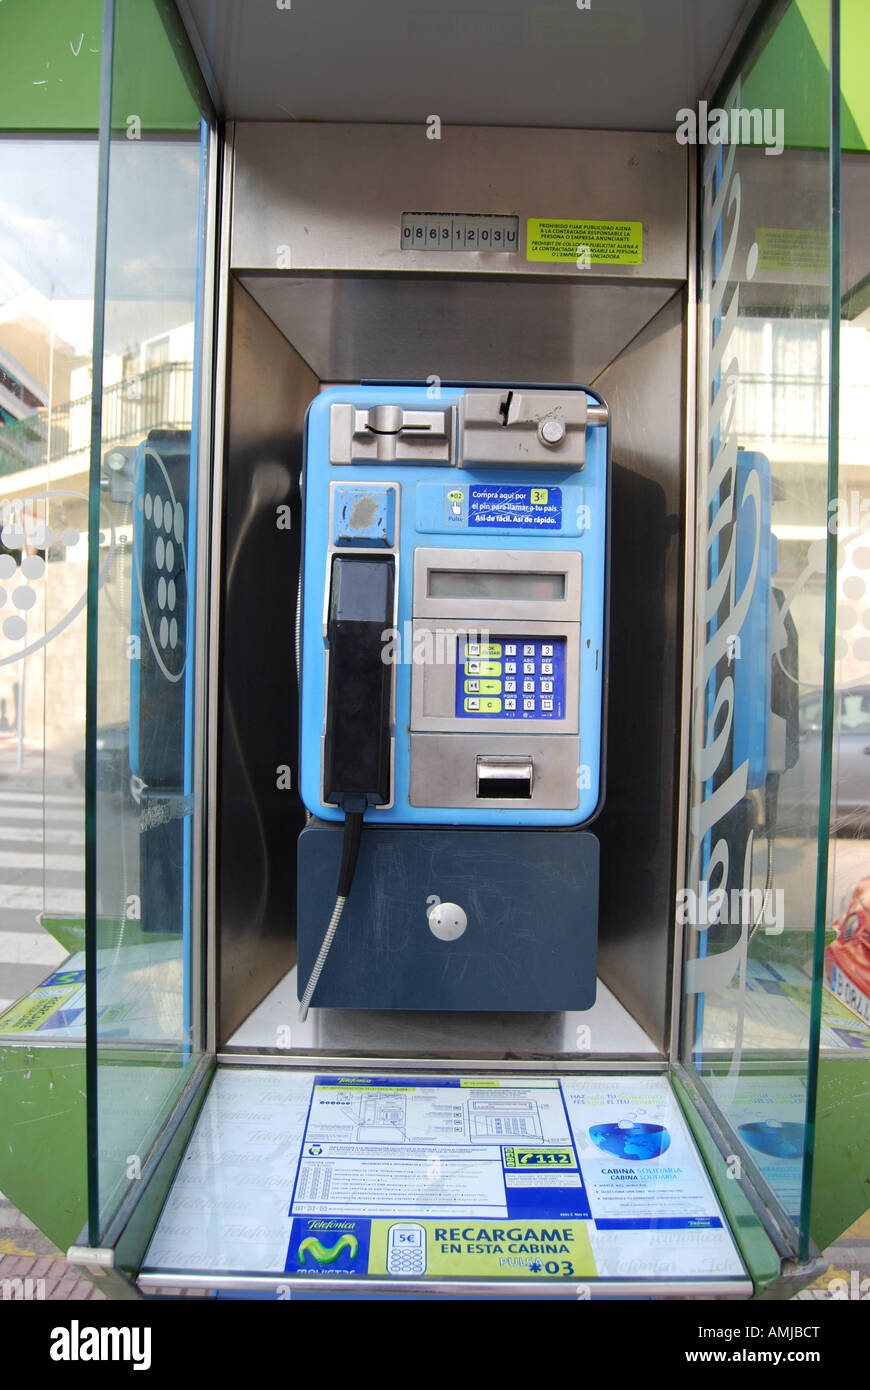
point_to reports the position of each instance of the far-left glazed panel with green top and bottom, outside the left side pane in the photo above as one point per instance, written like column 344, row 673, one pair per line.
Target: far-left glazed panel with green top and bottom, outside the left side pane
column 49, row 116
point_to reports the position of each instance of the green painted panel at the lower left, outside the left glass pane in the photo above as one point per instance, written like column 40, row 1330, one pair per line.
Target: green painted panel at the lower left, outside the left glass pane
column 42, row 1122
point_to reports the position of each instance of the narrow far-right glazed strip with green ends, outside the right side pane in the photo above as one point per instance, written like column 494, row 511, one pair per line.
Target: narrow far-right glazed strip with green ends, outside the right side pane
column 846, row 1006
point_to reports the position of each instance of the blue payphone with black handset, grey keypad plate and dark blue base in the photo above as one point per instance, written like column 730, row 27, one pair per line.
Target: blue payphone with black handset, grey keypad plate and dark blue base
column 452, row 673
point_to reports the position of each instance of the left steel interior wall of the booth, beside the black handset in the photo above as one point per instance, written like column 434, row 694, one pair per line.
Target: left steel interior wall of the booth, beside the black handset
column 261, row 814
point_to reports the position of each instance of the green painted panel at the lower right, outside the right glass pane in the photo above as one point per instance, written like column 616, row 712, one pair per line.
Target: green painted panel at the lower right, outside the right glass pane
column 842, row 1166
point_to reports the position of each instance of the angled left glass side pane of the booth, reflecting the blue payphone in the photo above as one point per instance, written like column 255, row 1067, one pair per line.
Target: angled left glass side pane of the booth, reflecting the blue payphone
column 142, row 605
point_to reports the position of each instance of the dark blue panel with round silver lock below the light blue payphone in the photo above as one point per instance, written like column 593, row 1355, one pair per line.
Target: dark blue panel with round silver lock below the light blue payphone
column 532, row 901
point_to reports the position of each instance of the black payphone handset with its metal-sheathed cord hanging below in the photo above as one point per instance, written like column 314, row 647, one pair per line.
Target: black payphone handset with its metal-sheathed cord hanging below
column 358, row 736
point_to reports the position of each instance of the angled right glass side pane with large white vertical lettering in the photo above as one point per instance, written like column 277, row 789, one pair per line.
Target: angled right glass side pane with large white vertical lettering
column 748, row 910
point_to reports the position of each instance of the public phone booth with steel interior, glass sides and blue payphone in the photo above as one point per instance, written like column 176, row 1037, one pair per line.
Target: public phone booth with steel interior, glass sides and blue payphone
column 463, row 904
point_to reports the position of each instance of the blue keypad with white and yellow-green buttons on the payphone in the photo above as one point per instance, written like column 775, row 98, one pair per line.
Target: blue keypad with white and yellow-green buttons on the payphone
column 511, row 679
